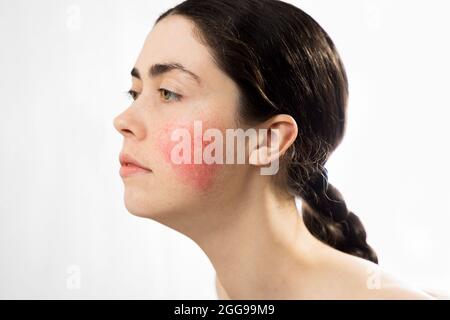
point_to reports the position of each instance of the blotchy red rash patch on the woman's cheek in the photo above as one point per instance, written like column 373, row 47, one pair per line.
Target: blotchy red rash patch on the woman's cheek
column 199, row 176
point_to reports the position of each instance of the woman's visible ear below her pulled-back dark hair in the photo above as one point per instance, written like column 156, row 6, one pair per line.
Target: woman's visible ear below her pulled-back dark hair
column 281, row 132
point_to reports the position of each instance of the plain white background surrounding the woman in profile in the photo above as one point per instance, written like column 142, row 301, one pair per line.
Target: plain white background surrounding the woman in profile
column 64, row 68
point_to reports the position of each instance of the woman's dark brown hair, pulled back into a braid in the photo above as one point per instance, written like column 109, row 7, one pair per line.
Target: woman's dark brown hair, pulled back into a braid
column 285, row 63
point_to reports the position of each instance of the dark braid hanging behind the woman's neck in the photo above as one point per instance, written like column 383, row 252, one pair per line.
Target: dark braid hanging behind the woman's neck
column 327, row 217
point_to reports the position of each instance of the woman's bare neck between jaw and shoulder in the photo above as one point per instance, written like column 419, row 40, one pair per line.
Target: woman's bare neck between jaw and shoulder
column 259, row 247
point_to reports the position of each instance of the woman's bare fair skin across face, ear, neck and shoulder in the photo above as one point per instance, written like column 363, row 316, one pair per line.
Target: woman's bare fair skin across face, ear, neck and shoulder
column 251, row 231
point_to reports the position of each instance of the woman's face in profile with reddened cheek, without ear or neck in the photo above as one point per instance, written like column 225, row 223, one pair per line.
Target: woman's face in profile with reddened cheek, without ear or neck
column 167, row 100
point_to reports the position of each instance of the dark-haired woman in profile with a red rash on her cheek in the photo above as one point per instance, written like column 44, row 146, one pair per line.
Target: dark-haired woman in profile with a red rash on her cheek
column 249, row 64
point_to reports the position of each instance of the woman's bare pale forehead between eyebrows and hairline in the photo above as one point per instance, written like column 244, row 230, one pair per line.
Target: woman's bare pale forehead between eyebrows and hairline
column 172, row 41
